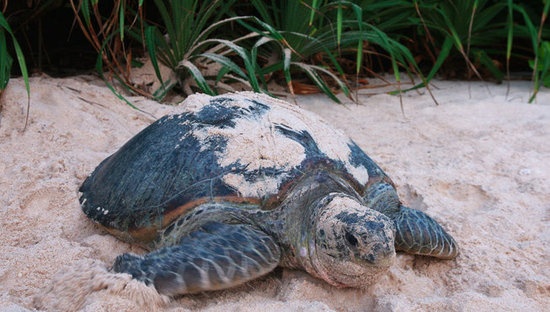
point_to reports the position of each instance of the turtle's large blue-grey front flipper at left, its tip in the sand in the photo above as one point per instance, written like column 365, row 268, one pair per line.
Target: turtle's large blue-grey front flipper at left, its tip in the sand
column 217, row 256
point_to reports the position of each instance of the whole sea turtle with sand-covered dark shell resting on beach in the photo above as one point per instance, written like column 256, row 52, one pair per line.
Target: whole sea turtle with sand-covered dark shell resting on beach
column 234, row 185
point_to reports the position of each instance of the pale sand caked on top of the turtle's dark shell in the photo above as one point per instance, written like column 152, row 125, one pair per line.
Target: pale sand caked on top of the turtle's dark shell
column 256, row 143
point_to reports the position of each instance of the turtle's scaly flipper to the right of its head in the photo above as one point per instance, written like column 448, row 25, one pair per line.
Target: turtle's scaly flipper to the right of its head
column 418, row 233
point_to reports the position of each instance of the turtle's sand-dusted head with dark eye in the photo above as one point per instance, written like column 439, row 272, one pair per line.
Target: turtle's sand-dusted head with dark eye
column 353, row 244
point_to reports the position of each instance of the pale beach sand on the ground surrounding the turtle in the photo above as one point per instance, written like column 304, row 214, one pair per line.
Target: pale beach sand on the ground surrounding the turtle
column 479, row 163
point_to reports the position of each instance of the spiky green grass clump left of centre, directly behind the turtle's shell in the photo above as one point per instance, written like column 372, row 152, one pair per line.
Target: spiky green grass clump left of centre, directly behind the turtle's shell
column 183, row 41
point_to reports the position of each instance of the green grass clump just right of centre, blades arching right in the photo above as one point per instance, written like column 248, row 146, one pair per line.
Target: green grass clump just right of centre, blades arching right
column 315, row 46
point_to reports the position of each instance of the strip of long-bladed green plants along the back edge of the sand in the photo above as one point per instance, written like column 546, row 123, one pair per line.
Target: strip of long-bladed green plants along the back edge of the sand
column 256, row 42
